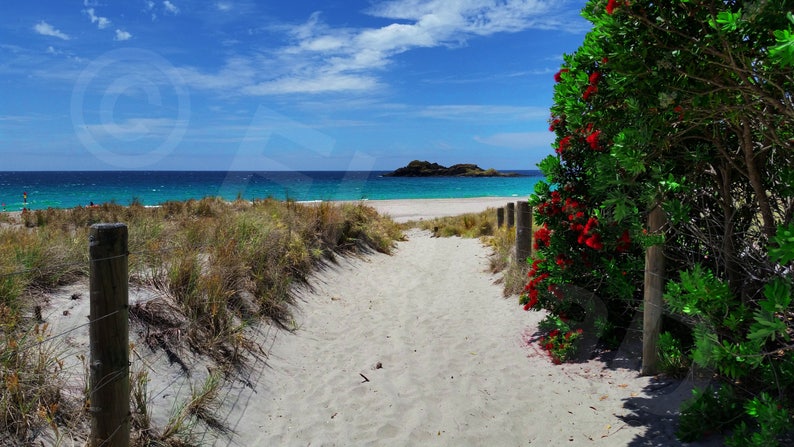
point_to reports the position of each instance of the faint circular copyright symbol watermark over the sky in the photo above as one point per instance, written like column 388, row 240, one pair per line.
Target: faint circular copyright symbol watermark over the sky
column 130, row 108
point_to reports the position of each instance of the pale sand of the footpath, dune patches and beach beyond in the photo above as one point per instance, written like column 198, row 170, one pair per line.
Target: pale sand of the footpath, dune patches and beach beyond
column 415, row 348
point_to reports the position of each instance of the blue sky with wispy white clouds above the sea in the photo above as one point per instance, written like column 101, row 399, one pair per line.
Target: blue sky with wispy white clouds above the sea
column 279, row 85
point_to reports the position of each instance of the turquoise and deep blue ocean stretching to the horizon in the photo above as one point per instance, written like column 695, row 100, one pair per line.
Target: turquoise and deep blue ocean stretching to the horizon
column 52, row 189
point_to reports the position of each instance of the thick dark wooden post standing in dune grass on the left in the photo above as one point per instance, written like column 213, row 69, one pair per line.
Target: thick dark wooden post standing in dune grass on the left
column 109, row 336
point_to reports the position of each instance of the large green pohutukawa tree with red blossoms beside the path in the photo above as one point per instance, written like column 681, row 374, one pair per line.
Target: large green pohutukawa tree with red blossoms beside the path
column 685, row 105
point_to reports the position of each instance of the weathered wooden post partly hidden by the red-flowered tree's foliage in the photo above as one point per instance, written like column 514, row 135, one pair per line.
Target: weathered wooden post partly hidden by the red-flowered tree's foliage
column 654, row 289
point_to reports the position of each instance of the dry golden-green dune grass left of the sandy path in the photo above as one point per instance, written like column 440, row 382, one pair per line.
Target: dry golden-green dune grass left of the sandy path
column 217, row 266
